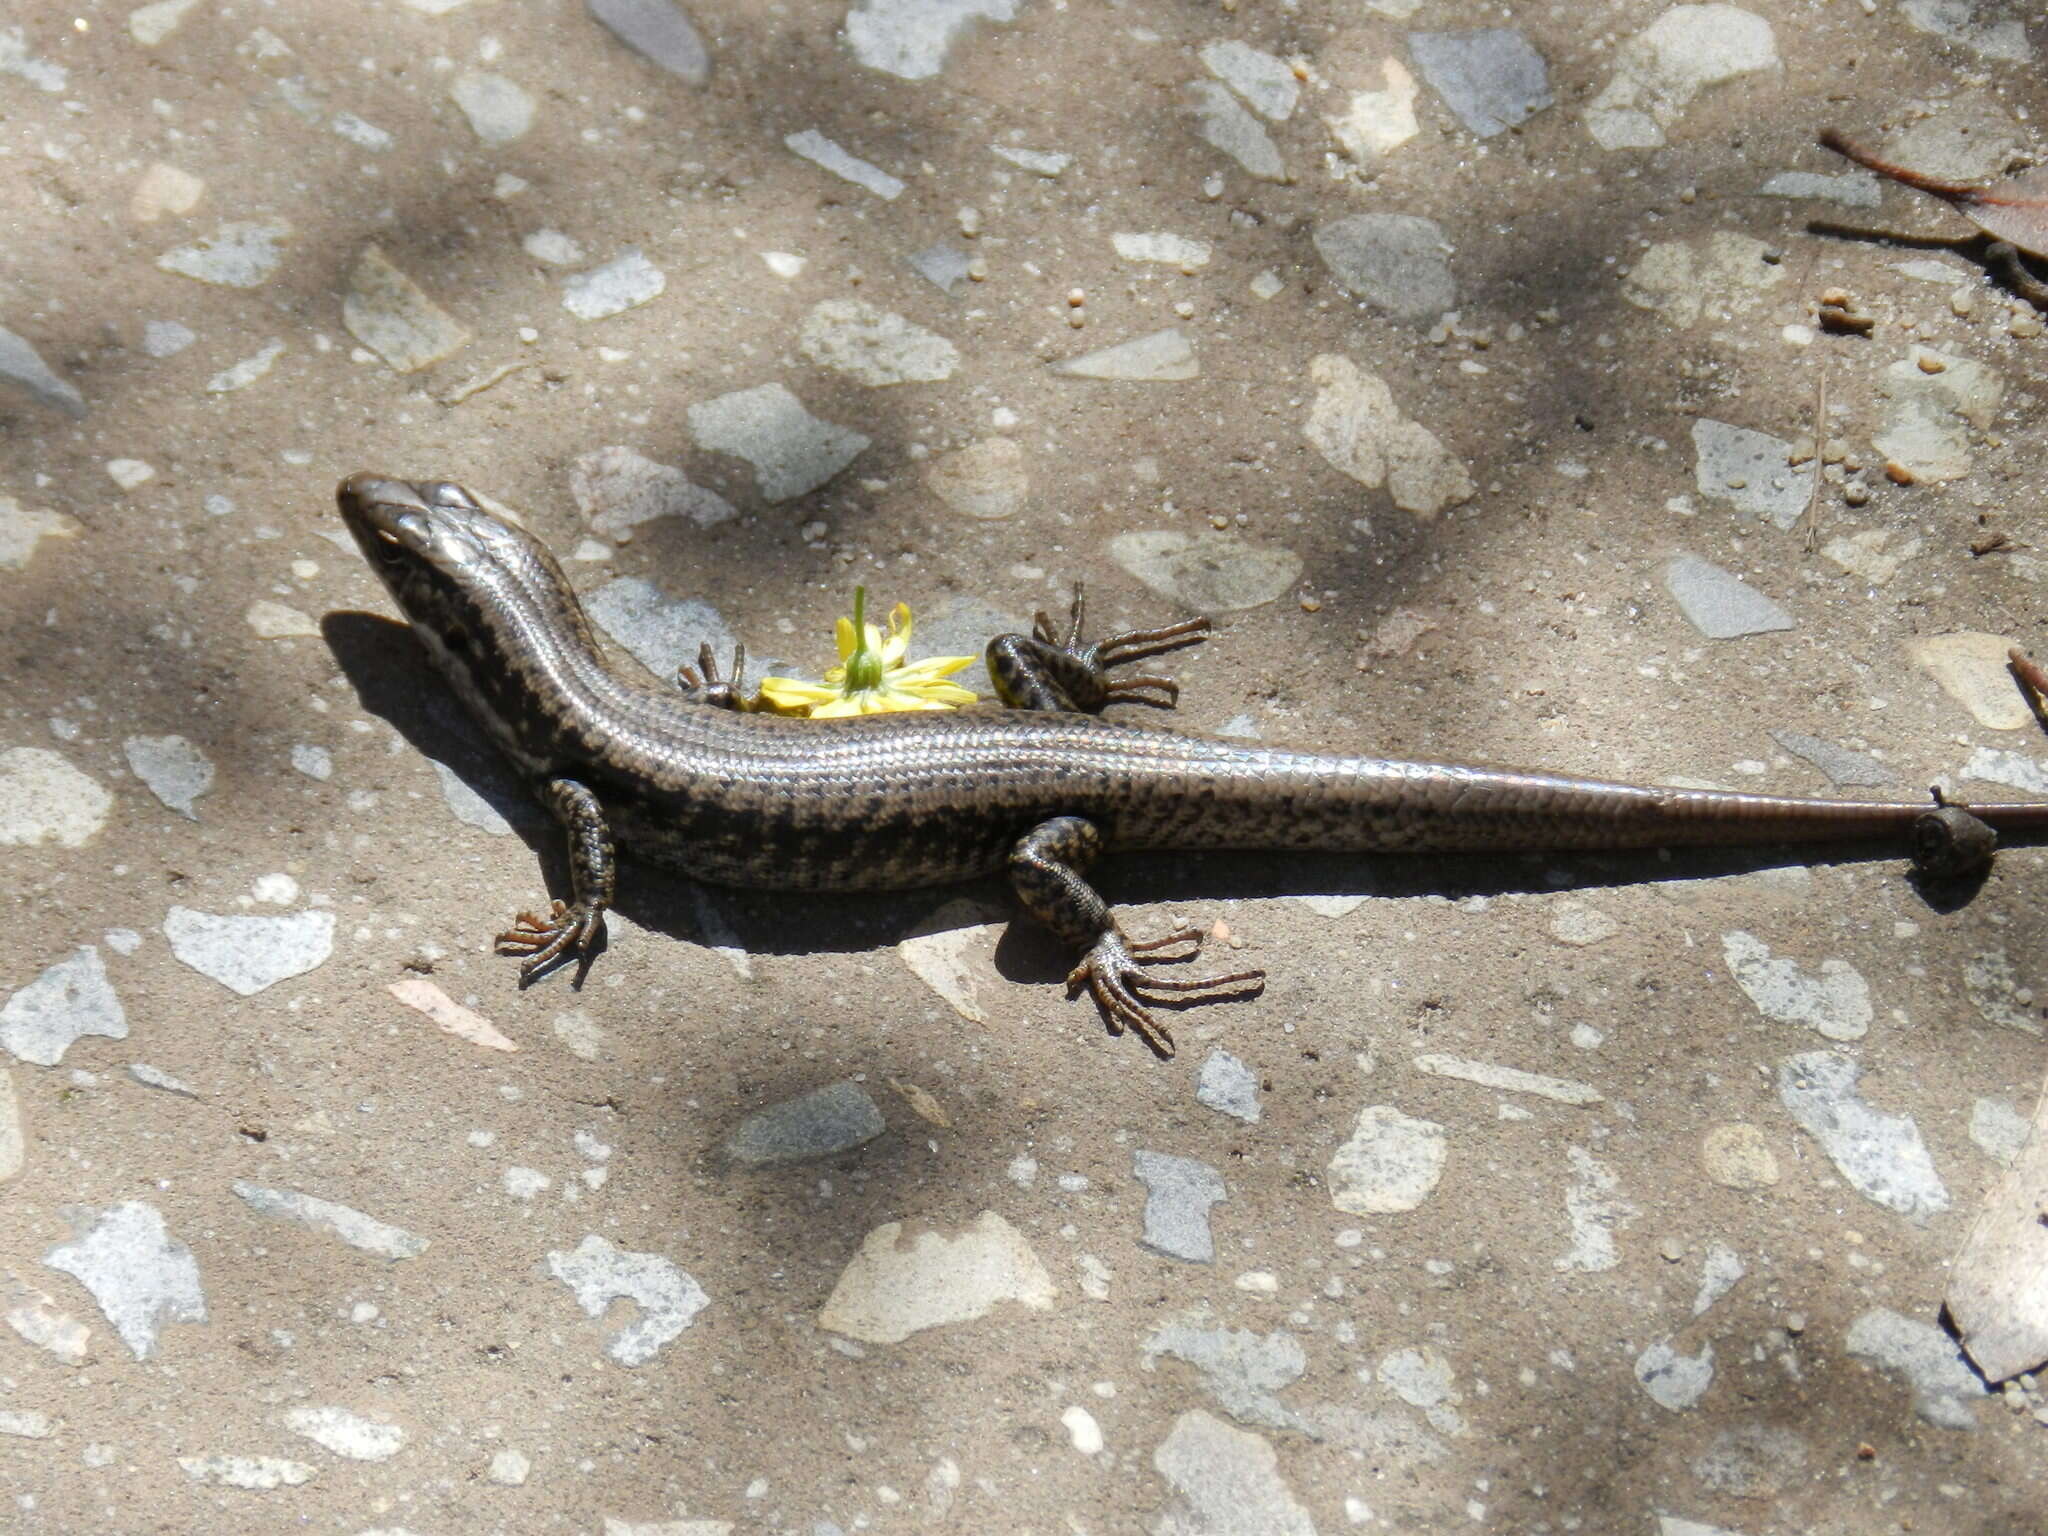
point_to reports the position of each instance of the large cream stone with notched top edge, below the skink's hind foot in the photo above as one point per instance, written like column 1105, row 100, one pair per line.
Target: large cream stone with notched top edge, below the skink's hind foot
column 902, row 1283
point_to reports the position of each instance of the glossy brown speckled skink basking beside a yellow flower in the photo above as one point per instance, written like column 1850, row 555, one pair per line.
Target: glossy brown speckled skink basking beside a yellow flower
column 1039, row 790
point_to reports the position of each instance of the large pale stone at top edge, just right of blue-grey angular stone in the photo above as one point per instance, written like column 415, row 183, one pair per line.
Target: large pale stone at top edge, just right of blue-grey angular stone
column 1660, row 71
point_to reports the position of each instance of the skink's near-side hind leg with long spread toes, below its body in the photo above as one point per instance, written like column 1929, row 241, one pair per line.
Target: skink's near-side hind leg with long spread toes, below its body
column 1046, row 869
